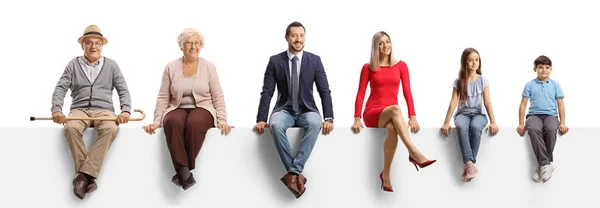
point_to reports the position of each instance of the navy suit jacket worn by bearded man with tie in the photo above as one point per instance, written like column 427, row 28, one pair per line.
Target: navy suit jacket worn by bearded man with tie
column 278, row 74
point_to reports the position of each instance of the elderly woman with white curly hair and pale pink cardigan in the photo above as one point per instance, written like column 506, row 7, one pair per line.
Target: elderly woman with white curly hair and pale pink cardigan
column 190, row 102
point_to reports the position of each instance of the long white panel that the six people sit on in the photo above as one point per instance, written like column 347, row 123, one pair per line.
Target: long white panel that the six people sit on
column 243, row 169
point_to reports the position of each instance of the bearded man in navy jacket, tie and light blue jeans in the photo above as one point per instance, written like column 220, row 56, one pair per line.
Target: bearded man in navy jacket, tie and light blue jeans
column 294, row 72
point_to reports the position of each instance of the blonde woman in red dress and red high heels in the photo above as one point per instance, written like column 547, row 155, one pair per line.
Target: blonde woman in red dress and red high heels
column 385, row 75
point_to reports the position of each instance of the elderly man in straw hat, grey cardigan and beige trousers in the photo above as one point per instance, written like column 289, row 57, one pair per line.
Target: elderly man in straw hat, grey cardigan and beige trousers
column 91, row 79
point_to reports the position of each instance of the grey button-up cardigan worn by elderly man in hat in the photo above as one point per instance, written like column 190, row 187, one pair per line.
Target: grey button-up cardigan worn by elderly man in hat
column 96, row 95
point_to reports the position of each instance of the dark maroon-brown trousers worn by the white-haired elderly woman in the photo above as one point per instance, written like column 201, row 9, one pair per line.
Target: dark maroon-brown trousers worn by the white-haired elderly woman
column 185, row 130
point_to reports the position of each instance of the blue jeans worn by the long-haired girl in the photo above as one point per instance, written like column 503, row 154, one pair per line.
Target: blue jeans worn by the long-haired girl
column 469, row 128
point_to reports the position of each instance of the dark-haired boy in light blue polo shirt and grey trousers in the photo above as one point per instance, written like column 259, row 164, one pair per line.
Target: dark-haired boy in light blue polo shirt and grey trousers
column 546, row 98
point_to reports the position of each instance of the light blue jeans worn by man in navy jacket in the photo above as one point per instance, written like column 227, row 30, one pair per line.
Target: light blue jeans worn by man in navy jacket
column 310, row 122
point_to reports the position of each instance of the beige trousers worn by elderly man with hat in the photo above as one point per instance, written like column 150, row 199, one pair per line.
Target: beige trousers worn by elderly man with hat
column 90, row 162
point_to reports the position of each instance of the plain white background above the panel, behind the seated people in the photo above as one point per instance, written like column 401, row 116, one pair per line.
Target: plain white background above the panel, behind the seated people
column 39, row 38
